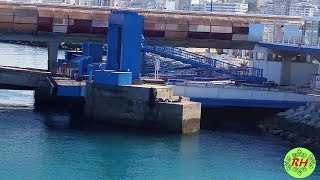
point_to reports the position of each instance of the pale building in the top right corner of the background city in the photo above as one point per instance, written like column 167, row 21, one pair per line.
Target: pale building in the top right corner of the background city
column 303, row 9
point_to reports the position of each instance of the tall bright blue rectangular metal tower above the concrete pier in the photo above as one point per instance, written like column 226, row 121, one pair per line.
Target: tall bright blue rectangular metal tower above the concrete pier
column 124, row 42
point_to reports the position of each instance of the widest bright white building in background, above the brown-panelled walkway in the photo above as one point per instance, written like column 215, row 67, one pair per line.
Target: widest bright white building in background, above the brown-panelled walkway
column 221, row 7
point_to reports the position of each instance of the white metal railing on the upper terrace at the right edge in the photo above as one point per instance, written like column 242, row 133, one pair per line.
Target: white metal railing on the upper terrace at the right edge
column 292, row 40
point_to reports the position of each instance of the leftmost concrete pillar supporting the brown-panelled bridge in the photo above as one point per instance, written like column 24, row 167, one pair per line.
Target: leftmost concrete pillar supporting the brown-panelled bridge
column 53, row 48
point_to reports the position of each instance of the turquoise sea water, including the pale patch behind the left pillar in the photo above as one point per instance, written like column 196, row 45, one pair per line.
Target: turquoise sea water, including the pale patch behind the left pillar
column 51, row 145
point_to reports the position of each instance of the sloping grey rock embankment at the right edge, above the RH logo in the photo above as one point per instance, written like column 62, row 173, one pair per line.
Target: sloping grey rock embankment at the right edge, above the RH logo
column 300, row 126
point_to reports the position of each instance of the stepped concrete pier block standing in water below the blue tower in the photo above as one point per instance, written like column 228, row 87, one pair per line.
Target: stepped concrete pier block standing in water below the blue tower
column 142, row 106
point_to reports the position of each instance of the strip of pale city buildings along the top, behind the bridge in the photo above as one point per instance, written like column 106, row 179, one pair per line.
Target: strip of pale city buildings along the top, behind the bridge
column 272, row 7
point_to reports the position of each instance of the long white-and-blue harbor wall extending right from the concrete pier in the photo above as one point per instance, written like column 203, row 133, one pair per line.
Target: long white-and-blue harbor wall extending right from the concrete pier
column 224, row 95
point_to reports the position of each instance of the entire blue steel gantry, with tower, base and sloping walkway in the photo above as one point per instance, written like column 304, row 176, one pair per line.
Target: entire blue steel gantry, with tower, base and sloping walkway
column 126, row 56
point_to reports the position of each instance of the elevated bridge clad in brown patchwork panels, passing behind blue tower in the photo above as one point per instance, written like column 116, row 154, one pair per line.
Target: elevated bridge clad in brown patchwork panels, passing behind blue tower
column 86, row 22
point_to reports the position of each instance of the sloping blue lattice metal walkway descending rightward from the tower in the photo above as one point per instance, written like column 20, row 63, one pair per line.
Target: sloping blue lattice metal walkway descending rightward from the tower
column 249, row 74
